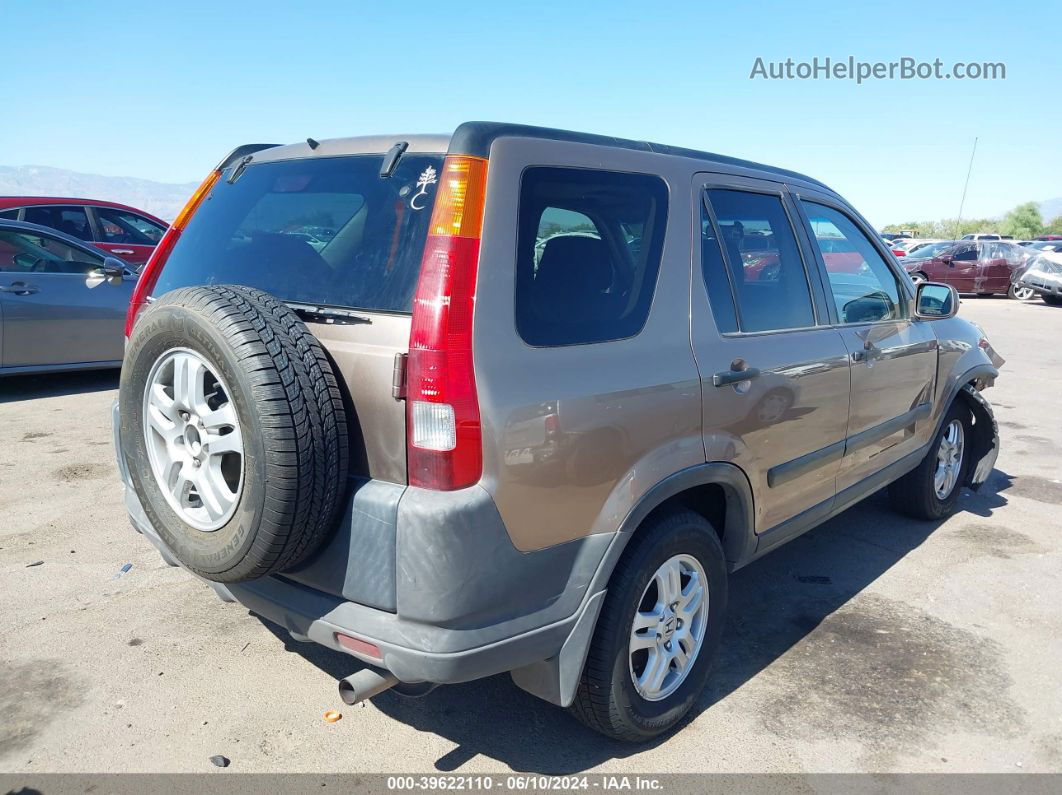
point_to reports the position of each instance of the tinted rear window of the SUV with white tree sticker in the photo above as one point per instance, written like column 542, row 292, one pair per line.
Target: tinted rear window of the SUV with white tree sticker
column 323, row 231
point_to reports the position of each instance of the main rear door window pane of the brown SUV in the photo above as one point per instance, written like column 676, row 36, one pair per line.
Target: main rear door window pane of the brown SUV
column 766, row 269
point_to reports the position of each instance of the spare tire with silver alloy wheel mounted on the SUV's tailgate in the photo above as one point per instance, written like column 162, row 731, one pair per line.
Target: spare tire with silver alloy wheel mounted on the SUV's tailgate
column 286, row 485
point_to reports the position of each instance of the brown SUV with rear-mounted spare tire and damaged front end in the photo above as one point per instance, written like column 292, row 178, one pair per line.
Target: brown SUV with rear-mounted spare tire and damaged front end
column 520, row 400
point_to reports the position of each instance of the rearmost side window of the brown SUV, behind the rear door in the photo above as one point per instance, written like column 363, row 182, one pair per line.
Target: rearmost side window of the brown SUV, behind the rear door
column 589, row 252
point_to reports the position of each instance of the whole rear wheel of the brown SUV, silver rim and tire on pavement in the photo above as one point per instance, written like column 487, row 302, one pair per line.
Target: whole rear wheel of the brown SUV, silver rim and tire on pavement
column 659, row 630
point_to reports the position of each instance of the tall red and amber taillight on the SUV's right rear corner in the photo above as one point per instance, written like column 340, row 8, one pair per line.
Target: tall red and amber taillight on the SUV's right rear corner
column 444, row 444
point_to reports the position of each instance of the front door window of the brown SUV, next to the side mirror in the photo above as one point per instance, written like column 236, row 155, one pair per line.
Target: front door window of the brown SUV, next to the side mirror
column 865, row 288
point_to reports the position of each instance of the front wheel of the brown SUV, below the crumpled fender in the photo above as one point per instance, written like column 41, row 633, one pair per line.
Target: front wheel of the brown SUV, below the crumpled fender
column 932, row 490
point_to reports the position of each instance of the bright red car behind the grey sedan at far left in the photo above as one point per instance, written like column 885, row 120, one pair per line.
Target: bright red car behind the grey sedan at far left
column 117, row 229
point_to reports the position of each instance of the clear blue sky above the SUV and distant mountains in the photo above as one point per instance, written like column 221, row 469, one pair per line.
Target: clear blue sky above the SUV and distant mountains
column 162, row 91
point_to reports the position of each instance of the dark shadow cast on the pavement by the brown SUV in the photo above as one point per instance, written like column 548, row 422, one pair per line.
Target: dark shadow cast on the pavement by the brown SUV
column 774, row 604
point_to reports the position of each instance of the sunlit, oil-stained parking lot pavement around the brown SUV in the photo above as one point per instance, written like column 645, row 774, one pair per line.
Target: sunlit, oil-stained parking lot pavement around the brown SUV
column 871, row 644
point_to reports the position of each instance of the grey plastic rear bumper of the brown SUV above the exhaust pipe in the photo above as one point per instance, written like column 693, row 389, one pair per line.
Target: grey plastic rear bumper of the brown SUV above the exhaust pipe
column 459, row 602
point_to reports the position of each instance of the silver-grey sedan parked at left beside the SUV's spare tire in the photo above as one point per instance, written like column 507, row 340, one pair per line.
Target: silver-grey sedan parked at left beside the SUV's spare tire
column 63, row 303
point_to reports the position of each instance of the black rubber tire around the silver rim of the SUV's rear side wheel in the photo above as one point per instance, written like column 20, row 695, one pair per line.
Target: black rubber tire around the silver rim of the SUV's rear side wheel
column 607, row 700
